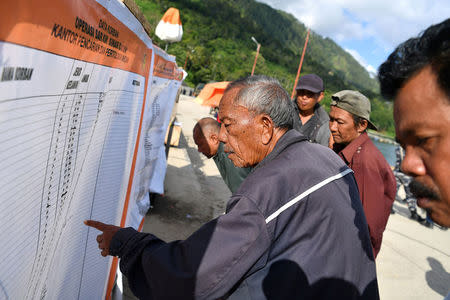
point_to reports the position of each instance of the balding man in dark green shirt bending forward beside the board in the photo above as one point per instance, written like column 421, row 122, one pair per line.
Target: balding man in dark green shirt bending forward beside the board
column 206, row 137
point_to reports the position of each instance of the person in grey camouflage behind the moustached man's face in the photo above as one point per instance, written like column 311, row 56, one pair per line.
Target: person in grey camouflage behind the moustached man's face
column 403, row 180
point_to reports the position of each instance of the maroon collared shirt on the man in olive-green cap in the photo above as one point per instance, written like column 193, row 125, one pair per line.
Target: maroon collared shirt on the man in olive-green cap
column 376, row 183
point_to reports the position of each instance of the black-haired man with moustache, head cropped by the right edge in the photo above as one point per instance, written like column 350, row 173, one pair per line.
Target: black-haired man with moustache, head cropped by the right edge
column 417, row 76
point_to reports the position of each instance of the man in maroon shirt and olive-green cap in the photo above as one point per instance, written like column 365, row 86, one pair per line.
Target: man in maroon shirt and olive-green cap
column 349, row 120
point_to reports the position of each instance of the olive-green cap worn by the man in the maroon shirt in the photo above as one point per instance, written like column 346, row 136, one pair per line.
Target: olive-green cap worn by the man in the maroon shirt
column 355, row 103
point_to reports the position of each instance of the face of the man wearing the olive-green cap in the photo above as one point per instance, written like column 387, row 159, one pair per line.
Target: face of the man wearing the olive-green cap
column 342, row 127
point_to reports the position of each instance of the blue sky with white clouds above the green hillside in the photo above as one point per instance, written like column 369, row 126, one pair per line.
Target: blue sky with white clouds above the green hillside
column 368, row 29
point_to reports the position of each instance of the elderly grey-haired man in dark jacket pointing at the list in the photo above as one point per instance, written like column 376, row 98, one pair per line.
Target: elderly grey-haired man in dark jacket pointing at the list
column 295, row 228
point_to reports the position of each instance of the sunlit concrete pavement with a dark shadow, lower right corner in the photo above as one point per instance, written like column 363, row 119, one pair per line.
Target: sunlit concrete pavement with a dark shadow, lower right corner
column 414, row 261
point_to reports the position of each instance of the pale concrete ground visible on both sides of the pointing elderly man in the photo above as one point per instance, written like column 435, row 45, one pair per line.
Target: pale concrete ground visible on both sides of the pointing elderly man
column 414, row 261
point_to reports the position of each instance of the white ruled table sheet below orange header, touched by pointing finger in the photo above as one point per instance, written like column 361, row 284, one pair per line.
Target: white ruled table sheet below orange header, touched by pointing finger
column 56, row 151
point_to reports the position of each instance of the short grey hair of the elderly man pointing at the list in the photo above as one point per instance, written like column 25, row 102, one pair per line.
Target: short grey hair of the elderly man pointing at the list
column 264, row 95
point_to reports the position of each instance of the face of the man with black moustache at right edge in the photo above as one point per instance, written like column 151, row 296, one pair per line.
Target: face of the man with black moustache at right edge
column 422, row 125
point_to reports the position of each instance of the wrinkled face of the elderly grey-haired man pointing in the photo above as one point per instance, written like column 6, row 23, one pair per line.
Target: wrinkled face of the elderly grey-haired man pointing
column 240, row 132
